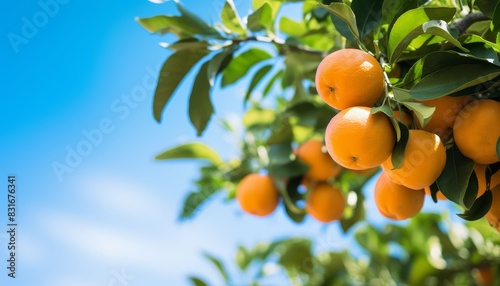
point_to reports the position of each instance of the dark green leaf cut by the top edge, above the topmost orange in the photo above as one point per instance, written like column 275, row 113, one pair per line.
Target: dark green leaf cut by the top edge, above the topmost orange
column 368, row 15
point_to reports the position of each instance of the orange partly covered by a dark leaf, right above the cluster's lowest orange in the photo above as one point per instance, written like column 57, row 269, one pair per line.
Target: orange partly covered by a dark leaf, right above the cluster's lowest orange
column 424, row 160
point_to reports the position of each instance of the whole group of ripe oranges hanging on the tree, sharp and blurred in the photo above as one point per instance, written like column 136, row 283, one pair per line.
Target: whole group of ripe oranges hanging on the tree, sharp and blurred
column 352, row 82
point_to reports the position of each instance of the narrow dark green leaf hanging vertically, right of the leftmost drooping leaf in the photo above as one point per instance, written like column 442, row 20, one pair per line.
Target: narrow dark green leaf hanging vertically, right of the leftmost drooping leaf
column 200, row 105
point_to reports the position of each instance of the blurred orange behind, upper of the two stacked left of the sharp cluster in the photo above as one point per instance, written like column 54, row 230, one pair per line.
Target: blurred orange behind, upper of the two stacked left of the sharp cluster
column 321, row 165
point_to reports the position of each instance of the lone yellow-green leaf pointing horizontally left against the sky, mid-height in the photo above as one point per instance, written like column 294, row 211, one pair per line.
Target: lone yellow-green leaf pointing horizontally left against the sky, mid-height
column 193, row 150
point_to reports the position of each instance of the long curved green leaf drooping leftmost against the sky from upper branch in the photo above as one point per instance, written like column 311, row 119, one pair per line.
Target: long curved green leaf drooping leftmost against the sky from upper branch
column 172, row 73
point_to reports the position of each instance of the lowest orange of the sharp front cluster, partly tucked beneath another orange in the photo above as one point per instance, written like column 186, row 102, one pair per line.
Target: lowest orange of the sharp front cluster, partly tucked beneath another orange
column 397, row 202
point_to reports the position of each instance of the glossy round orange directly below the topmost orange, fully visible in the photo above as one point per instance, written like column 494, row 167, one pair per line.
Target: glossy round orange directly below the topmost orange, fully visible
column 358, row 140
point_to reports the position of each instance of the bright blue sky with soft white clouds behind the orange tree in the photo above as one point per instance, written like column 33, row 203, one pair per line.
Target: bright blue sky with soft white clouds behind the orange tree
column 114, row 209
